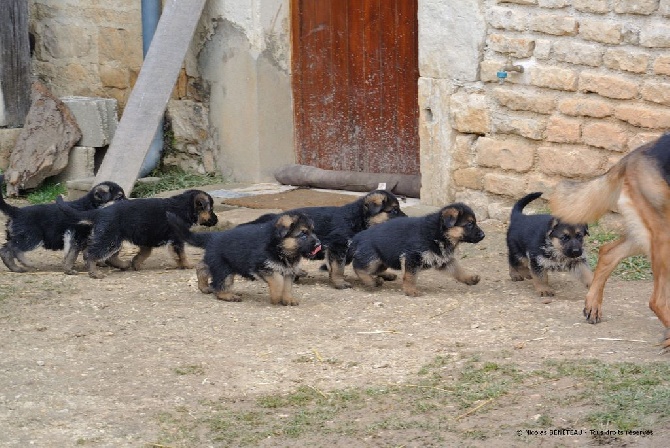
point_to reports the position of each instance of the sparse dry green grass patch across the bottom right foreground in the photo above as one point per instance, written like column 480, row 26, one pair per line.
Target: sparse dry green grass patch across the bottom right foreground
column 443, row 396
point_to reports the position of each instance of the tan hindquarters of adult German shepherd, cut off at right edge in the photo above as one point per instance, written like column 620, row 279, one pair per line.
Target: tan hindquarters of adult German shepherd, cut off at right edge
column 639, row 184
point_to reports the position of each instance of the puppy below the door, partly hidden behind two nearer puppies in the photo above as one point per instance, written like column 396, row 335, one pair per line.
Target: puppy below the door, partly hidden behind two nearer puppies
column 336, row 226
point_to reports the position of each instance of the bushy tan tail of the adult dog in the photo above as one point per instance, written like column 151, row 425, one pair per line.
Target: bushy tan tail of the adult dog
column 584, row 202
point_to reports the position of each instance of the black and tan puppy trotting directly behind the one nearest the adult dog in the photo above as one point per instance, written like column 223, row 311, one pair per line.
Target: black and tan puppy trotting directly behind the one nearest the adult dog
column 415, row 244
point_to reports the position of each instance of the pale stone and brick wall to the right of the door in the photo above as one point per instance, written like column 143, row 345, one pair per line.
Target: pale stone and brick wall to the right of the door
column 595, row 85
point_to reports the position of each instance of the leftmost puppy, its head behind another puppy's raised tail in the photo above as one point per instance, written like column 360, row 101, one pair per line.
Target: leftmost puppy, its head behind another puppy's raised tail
column 45, row 225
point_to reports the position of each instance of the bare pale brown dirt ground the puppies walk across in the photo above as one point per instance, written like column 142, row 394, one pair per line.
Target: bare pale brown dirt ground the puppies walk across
column 92, row 362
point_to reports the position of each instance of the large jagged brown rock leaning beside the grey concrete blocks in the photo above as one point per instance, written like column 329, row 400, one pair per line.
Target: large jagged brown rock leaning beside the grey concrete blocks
column 43, row 147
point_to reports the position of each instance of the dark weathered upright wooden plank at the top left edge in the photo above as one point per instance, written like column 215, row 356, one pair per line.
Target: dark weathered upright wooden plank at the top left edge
column 14, row 63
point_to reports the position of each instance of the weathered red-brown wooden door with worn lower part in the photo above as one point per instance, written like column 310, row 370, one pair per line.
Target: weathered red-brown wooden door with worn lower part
column 355, row 73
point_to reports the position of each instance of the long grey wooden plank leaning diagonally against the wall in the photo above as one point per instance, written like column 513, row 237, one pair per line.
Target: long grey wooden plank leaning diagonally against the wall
column 151, row 92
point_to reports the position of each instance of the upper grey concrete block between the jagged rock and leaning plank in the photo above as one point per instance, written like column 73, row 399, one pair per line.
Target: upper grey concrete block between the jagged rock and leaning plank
column 96, row 117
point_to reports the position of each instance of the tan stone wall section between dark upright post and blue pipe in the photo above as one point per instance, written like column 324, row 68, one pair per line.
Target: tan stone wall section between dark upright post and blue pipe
column 87, row 48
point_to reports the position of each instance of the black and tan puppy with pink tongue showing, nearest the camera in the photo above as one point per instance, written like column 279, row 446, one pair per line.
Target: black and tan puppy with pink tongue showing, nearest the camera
column 269, row 250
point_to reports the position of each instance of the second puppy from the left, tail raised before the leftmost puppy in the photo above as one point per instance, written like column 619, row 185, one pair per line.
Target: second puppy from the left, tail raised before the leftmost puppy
column 141, row 222
